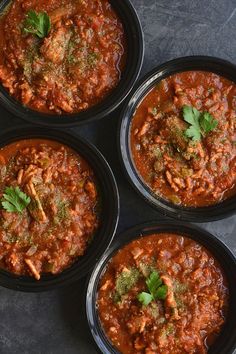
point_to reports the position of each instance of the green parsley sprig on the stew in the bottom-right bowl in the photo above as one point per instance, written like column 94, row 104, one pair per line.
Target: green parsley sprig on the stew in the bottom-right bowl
column 157, row 291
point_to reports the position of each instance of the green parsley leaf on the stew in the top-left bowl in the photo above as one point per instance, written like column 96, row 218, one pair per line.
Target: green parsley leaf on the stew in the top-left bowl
column 38, row 24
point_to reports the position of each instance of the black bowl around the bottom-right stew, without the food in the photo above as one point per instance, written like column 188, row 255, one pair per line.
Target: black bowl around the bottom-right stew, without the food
column 226, row 341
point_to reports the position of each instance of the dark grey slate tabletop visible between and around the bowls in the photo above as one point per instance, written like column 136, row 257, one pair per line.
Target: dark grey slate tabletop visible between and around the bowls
column 55, row 322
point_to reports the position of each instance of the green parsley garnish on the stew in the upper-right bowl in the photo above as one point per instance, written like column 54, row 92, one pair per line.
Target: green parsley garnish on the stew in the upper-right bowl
column 201, row 123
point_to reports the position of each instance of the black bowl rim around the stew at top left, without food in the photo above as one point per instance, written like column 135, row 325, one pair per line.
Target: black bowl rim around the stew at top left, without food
column 135, row 52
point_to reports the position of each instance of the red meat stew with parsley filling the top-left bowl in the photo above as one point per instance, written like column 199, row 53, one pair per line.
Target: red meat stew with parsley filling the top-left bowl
column 61, row 56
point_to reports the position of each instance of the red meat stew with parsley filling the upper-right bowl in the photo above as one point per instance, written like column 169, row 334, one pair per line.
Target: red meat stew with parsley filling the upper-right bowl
column 183, row 139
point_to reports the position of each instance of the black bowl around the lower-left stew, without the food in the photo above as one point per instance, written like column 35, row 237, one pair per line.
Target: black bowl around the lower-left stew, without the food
column 109, row 214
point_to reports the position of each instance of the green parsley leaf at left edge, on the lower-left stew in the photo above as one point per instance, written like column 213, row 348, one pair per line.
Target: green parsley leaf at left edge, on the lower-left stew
column 14, row 200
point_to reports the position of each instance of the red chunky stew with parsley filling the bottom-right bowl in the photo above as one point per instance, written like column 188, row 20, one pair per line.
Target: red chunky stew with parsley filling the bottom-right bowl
column 162, row 294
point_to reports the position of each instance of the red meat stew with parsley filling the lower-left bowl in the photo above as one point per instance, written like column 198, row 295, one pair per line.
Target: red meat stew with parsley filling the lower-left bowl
column 49, row 207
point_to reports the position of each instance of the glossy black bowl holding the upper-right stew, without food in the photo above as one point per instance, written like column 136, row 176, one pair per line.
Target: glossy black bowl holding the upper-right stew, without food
column 203, row 63
